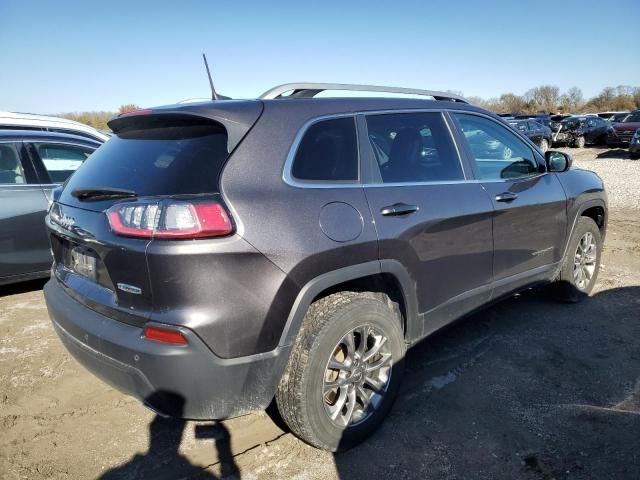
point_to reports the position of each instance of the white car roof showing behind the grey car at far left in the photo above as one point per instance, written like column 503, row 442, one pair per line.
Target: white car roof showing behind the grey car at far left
column 27, row 121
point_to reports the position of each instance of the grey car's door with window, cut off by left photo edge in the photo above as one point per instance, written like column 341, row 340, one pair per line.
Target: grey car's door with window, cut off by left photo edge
column 24, row 247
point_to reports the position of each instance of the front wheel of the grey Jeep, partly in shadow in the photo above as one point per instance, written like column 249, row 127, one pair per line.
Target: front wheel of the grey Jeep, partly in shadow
column 571, row 285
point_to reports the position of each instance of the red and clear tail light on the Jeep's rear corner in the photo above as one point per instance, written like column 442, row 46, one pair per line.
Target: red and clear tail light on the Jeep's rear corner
column 166, row 219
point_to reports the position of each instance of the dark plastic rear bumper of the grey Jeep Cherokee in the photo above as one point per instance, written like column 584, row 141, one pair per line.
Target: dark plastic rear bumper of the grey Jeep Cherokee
column 183, row 381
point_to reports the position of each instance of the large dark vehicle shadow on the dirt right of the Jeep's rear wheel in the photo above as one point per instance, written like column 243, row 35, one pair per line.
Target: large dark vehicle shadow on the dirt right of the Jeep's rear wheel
column 529, row 388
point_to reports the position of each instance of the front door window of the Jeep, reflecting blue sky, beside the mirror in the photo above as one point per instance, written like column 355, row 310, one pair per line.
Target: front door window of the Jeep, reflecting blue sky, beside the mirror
column 499, row 154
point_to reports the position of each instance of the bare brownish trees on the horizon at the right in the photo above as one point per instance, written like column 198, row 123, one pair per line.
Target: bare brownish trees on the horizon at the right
column 550, row 99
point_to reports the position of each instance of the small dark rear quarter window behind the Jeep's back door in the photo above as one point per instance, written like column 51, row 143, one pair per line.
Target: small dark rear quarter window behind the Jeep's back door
column 328, row 152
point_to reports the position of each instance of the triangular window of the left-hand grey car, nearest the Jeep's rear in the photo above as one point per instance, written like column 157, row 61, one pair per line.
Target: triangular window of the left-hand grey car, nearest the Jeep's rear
column 56, row 161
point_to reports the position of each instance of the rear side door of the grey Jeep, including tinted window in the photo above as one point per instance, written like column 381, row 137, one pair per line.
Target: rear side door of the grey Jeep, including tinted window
column 429, row 218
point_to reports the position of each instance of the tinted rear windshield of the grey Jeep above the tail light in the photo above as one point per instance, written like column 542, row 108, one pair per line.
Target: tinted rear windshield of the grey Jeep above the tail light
column 157, row 161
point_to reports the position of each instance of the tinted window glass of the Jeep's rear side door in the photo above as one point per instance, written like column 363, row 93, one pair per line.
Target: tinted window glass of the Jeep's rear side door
column 413, row 147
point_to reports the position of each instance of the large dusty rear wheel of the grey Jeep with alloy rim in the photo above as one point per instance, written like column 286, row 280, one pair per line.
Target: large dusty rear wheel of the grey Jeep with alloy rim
column 305, row 398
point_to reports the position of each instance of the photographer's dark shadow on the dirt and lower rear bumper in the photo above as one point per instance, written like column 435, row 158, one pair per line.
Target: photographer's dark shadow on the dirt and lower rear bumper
column 163, row 459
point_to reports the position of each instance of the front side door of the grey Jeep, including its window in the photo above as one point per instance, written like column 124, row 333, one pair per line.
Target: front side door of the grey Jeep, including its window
column 530, row 221
